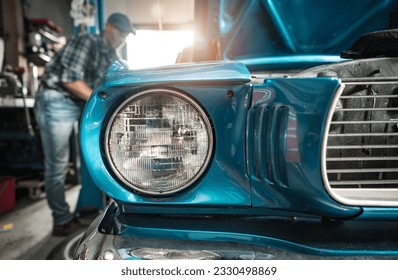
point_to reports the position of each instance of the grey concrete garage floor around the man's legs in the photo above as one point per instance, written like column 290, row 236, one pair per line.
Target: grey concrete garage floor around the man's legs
column 30, row 238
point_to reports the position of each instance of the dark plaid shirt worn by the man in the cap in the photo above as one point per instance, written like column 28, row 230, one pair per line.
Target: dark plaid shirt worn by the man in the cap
column 84, row 57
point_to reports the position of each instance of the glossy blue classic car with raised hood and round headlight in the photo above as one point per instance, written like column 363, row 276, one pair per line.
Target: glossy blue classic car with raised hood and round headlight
column 280, row 149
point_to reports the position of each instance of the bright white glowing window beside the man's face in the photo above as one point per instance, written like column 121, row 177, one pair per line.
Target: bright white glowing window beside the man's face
column 151, row 48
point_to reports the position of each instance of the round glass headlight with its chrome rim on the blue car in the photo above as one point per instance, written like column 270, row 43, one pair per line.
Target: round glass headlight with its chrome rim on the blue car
column 159, row 141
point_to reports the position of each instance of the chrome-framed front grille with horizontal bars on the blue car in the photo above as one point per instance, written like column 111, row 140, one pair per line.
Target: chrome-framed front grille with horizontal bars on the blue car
column 360, row 153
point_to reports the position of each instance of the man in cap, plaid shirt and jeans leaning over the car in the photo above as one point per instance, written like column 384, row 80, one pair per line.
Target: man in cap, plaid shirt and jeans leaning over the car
column 67, row 83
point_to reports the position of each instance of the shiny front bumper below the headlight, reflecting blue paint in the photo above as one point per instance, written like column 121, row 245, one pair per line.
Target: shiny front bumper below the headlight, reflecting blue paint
column 113, row 236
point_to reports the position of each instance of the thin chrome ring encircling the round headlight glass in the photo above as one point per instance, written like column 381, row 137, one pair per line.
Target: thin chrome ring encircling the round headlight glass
column 187, row 99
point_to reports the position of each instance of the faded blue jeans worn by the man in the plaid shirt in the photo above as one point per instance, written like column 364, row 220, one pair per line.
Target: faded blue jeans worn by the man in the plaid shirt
column 56, row 114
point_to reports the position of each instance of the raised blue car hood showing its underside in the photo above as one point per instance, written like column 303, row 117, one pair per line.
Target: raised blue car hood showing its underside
column 309, row 30
